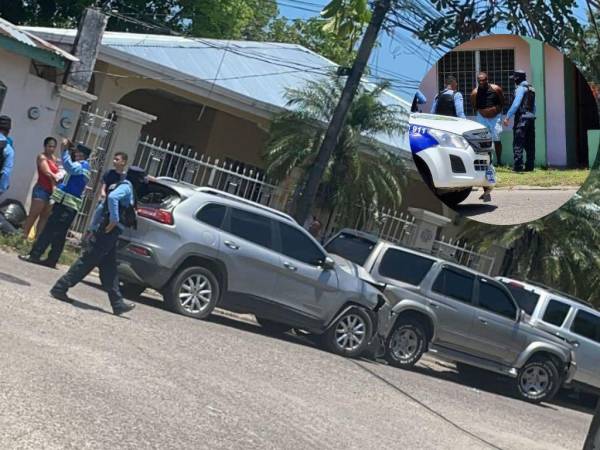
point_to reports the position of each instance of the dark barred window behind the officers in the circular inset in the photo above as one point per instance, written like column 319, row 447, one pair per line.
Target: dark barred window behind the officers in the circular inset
column 499, row 64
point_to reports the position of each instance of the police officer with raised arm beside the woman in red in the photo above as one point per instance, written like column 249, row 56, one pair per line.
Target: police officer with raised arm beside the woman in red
column 67, row 202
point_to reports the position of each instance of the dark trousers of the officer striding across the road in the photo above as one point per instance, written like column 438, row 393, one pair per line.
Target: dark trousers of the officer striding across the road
column 101, row 252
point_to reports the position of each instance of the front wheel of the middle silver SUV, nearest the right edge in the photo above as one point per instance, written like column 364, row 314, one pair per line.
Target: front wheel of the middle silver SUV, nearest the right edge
column 538, row 380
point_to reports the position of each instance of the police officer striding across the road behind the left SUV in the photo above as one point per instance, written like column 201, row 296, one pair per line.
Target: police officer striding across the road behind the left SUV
column 110, row 218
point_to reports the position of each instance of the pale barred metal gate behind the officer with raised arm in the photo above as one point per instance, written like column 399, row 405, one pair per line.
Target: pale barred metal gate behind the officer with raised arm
column 94, row 130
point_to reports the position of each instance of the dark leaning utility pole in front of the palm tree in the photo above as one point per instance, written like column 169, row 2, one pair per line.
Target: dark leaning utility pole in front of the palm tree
column 315, row 175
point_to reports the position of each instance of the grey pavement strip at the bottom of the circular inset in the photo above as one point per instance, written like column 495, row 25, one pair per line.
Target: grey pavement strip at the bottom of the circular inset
column 511, row 207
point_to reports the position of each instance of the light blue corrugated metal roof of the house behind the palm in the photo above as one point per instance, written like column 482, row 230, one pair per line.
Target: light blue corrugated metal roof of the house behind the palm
column 260, row 71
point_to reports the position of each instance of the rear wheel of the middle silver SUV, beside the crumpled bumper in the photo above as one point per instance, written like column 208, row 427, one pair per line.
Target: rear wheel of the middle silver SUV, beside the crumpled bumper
column 406, row 343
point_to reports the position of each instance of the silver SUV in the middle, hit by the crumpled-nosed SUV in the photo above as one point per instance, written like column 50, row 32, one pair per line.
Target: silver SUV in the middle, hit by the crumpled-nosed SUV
column 462, row 315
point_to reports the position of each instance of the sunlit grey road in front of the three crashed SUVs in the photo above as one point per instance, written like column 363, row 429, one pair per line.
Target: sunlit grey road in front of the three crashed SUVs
column 78, row 377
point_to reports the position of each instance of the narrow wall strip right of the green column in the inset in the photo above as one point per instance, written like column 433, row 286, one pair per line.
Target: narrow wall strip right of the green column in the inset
column 556, row 141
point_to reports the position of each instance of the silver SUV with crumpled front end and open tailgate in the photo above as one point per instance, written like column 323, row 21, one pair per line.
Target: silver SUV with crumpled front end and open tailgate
column 203, row 248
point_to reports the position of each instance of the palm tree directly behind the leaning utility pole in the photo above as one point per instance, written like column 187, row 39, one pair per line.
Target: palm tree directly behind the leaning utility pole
column 361, row 172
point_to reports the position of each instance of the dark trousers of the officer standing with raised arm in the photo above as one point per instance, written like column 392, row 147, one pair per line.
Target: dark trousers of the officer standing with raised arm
column 54, row 234
